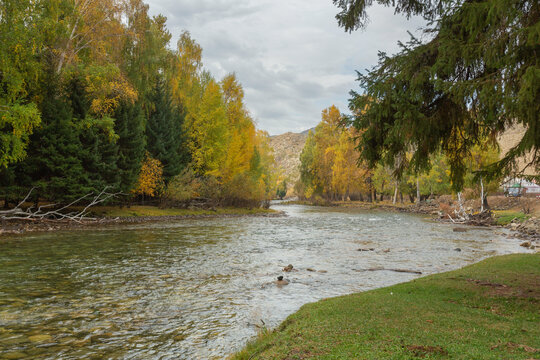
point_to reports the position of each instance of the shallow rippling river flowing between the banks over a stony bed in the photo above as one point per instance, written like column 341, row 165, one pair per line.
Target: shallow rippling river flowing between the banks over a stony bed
column 199, row 289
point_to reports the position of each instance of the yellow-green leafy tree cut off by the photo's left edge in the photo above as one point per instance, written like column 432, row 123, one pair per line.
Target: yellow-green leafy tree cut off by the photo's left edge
column 19, row 70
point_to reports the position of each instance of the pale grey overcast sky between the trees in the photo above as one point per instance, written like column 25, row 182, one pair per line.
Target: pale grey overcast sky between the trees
column 290, row 55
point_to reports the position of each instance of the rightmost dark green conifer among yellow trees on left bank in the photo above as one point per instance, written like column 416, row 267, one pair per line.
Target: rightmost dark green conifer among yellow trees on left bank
column 166, row 140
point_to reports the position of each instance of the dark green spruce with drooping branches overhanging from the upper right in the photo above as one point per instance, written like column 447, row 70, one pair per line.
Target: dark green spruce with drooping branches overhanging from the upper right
column 477, row 76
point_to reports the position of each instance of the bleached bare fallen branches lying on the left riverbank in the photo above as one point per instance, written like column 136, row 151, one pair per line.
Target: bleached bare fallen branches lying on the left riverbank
column 40, row 214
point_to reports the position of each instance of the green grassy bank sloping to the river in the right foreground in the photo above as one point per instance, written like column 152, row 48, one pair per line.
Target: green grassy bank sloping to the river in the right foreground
column 490, row 310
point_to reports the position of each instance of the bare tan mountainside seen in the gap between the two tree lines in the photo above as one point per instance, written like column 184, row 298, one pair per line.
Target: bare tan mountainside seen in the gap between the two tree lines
column 287, row 149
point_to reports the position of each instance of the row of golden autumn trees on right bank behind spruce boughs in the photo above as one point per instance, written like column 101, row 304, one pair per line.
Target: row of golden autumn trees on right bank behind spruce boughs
column 331, row 170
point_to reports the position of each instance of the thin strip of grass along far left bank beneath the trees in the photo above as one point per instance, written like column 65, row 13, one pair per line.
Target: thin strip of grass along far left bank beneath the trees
column 139, row 211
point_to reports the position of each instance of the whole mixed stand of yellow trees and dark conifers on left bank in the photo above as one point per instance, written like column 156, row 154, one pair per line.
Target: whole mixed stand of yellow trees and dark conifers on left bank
column 93, row 97
